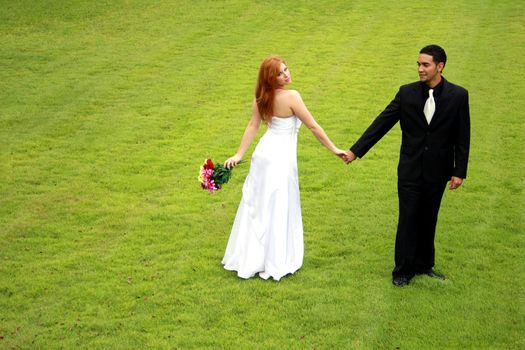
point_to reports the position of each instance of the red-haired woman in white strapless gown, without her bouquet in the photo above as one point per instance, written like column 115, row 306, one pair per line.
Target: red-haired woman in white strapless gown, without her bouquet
column 267, row 234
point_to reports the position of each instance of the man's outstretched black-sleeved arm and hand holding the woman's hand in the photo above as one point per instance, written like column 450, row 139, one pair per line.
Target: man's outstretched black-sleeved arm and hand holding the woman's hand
column 379, row 127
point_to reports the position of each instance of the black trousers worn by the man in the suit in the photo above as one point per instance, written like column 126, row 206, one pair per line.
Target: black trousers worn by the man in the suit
column 419, row 203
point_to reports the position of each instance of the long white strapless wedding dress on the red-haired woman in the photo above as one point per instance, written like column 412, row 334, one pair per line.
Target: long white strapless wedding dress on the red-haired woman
column 267, row 234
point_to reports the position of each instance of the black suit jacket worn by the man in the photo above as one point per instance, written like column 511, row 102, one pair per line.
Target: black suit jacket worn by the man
column 433, row 152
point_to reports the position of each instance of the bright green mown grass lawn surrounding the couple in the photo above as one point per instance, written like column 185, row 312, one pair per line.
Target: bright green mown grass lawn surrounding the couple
column 107, row 110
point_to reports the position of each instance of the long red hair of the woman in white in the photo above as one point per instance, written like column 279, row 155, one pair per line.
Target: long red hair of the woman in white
column 266, row 85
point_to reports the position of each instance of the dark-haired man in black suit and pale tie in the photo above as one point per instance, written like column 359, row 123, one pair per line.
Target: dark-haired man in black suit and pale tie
column 435, row 124
